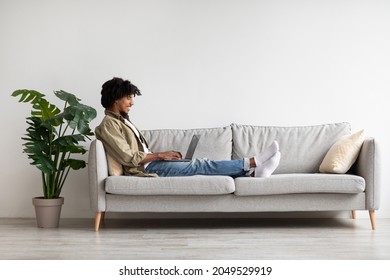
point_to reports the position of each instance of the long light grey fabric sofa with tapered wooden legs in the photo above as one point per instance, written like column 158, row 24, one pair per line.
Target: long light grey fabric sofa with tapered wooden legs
column 296, row 185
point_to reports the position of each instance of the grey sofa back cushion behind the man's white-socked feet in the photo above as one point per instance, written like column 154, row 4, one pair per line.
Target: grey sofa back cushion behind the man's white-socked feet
column 302, row 147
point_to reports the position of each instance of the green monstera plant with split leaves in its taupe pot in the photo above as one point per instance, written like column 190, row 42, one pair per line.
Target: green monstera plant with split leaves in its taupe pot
column 53, row 137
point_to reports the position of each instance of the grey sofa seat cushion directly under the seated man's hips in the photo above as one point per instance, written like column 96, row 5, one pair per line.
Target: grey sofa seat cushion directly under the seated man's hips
column 194, row 185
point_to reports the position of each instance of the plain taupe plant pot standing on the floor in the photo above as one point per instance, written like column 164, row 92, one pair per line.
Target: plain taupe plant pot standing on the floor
column 48, row 211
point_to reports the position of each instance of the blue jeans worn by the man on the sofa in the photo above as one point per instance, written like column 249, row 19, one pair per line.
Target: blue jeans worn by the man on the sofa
column 233, row 168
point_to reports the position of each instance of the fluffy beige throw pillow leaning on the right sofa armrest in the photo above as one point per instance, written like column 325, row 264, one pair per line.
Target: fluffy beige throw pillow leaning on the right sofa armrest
column 343, row 153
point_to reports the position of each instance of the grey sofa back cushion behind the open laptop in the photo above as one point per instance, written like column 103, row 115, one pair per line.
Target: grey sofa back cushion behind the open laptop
column 214, row 143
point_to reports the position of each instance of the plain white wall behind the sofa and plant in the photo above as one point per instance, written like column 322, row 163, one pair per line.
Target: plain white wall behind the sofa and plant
column 245, row 61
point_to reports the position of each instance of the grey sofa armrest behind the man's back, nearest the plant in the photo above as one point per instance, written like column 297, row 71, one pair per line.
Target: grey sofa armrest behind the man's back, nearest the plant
column 97, row 174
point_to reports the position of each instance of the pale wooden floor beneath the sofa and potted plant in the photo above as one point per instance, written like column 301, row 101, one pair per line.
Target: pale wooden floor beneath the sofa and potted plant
column 197, row 239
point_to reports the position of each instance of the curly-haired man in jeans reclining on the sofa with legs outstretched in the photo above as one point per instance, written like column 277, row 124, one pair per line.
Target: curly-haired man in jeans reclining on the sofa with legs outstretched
column 125, row 143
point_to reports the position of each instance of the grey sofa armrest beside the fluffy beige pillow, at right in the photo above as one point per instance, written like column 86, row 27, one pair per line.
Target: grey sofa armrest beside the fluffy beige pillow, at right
column 367, row 166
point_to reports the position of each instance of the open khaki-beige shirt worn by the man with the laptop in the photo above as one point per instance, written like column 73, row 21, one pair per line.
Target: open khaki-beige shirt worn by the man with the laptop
column 122, row 144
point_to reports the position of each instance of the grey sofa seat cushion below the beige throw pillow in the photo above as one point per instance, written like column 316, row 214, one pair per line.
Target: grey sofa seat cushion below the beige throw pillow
column 300, row 183
